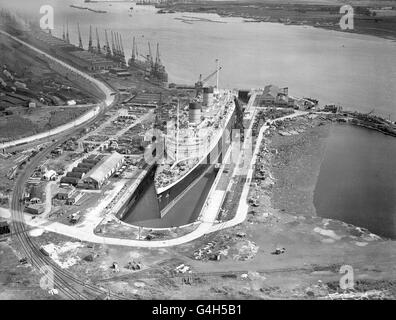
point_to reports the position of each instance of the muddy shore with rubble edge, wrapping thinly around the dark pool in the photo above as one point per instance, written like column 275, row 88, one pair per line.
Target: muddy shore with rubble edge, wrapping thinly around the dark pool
column 292, row 166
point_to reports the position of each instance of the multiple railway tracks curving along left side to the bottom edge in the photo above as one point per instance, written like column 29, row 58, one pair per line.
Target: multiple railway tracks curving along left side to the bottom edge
column 70, row 286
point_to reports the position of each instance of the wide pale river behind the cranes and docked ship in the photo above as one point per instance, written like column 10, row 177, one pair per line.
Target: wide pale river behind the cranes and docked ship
column 357, row 71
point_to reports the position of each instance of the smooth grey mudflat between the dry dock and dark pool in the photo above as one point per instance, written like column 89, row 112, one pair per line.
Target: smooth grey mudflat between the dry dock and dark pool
column 295, row 164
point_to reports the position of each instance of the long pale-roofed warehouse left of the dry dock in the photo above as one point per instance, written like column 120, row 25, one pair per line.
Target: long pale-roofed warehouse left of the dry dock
column 96, row 177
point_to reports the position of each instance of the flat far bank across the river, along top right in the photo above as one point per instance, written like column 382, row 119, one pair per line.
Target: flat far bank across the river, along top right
column 367, row 19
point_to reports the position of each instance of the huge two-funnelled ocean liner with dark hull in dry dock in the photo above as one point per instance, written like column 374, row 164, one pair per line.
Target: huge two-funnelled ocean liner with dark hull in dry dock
column 190, row 151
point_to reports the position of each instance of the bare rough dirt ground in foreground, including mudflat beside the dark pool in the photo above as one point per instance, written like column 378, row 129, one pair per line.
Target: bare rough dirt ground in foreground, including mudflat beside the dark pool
column 241, row 262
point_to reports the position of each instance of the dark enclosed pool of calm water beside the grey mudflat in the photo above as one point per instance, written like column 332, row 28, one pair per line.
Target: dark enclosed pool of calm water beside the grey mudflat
column 357, row 180
